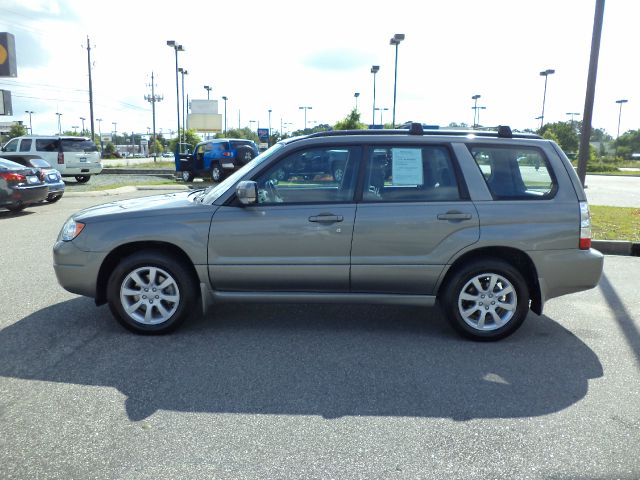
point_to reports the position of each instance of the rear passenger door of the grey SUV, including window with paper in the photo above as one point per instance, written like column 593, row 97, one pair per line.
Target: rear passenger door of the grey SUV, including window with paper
column 414, row 215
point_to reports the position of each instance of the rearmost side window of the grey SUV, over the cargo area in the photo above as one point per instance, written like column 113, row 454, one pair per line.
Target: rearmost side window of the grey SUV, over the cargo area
column 515, row 173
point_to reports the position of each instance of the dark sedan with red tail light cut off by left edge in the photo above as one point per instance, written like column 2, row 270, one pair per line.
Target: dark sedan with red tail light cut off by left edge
column 20, row 186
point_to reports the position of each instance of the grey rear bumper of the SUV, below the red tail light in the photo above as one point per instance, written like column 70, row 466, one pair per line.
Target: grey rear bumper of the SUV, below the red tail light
column 567, row 271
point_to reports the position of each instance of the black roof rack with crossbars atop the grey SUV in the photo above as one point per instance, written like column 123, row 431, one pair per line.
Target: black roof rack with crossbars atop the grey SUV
column 415, row 128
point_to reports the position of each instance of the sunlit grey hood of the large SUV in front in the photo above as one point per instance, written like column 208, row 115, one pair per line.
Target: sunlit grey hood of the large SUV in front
column 140, row 207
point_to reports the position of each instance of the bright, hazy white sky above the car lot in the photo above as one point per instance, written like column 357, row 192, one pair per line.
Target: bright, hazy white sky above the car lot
column 282, row 55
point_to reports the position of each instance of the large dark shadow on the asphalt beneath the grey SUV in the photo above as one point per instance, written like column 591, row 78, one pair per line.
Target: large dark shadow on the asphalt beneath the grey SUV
column 324, row 360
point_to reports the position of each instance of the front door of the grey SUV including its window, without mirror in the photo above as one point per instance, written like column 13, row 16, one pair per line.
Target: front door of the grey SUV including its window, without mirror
column 296, row 239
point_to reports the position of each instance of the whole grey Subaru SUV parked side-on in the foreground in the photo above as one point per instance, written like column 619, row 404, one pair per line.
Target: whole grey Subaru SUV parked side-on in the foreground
column 488, row 224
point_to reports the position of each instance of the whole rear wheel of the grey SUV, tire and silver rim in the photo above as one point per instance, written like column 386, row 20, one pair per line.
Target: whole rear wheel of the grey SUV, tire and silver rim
column 486, row 300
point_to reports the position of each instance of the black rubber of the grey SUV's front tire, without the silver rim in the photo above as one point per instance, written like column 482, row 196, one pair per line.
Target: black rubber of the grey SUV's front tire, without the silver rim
column 186, row 286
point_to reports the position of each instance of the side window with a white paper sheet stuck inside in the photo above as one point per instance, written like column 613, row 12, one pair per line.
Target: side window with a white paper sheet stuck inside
column 410, row 174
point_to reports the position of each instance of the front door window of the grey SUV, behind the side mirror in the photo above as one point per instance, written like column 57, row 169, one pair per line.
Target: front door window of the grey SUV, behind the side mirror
column 317, row 175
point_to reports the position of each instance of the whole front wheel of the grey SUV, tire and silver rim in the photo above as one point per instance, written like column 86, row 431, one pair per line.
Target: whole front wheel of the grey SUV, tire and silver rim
column 171, row 285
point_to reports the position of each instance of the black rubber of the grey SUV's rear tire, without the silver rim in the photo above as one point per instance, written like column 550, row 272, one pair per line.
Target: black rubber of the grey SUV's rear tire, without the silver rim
column 459, row 280
